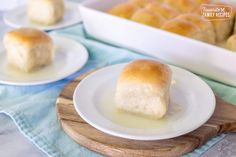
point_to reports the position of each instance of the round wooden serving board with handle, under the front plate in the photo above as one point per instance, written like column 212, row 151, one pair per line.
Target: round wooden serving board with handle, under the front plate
column 223, row 120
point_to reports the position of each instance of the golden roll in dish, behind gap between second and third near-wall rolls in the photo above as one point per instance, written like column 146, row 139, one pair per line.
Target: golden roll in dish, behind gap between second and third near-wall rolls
column 163, row 9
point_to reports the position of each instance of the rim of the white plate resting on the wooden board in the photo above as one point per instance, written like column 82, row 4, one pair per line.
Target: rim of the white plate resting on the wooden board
column 143, row 138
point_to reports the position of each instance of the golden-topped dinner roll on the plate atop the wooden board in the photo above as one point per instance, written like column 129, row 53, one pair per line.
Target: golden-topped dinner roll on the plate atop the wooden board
column 143, row 88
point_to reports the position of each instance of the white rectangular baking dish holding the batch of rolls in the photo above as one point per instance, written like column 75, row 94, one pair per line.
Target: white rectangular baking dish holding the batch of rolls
column 205, row 59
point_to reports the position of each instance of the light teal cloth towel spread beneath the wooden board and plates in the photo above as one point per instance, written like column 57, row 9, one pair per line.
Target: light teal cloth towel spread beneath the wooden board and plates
column 33, row 108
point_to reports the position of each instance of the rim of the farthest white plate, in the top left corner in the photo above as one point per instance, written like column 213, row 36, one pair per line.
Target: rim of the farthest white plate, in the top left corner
column 43, row 28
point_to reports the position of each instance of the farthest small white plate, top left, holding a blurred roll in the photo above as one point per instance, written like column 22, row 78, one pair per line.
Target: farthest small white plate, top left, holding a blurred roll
column 18, row 18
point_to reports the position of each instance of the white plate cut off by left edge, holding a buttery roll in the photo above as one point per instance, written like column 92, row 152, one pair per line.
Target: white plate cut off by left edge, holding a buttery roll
column 70, row 56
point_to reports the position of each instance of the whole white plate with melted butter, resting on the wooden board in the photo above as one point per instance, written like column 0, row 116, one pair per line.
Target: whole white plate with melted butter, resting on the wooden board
column 192, row 104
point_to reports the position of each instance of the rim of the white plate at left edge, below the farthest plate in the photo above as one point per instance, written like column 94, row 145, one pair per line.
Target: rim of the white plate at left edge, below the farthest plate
column 86, row 54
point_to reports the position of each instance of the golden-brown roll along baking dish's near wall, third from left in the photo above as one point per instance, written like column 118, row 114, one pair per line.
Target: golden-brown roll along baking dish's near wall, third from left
column 183, row 27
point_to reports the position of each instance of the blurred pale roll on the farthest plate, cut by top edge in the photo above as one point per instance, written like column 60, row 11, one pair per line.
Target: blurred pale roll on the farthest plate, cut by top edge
column 46, row 12
